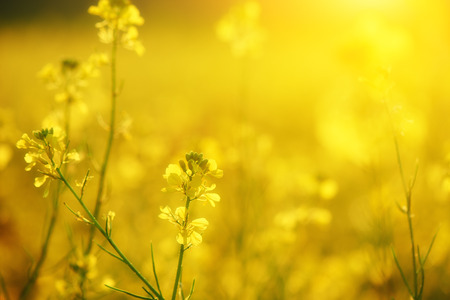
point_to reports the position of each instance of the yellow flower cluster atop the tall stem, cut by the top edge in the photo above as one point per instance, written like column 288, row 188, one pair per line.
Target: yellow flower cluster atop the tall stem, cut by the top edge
column 120, row 19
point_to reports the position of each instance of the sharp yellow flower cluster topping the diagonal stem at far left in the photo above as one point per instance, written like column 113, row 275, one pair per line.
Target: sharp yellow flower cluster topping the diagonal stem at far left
column 47, row 152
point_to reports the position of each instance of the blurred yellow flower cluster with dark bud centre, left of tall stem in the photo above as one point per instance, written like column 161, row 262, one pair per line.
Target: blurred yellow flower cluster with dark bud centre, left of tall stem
column 70, row 76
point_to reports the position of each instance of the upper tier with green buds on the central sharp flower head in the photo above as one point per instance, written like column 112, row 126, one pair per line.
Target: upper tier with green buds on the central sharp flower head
column 190, row 178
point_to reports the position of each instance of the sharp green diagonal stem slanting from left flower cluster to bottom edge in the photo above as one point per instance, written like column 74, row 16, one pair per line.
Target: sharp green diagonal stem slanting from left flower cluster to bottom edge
column 108, row 238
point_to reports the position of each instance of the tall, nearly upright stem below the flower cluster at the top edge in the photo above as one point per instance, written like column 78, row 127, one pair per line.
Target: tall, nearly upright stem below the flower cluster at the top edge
column 112, row 122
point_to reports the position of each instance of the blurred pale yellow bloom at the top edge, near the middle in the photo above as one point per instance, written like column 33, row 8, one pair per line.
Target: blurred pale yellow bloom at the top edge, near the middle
column 240, row 28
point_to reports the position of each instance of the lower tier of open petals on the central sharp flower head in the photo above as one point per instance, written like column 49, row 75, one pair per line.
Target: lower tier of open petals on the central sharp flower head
column 190, row 233
